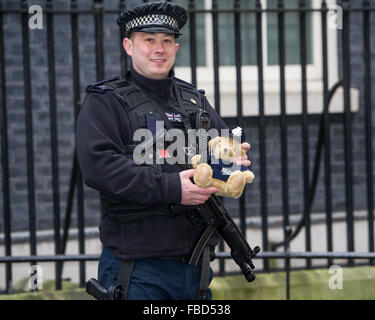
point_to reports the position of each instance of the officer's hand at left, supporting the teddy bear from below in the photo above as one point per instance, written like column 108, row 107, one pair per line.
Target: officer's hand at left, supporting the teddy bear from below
column 191, row 194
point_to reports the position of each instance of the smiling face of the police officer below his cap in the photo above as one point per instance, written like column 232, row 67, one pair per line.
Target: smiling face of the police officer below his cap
column 153, row 54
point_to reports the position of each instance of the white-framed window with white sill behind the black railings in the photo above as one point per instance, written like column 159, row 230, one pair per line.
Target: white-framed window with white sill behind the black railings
column 249, row 71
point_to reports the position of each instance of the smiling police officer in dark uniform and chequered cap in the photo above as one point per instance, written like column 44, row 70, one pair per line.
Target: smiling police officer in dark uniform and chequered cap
column 148, row 227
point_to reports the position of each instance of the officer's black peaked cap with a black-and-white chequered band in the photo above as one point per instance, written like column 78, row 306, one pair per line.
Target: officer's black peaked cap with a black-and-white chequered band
column 153, row 17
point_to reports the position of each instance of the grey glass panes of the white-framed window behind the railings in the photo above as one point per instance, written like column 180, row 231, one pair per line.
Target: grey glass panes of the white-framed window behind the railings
column 248, row 36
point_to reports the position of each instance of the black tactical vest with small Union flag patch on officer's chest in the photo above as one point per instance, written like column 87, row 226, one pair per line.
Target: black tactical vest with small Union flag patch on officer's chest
column 136, row 231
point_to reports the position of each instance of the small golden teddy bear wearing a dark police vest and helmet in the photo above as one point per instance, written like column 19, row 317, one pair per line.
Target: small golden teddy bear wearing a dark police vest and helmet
column 220, row 172
